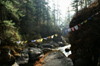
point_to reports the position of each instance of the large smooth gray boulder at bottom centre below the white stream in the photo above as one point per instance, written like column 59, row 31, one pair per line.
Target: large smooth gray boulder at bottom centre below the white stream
column 57, row 58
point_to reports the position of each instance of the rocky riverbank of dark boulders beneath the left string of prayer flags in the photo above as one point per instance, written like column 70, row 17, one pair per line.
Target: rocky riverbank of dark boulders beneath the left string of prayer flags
column 27, row 55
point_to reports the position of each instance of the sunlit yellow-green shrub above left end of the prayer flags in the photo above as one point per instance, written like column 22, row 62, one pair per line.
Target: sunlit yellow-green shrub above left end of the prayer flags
column 10, row 32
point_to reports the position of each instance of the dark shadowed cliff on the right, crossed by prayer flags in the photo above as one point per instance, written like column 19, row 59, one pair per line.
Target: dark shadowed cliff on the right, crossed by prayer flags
column 85, row 41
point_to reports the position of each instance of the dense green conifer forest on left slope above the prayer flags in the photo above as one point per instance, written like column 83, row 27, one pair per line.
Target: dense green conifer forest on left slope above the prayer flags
column 26, row 19
